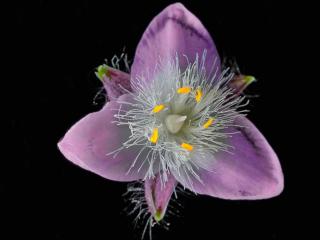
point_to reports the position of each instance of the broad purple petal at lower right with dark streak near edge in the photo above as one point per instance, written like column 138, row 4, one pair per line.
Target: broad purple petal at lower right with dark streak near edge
column 252, row 171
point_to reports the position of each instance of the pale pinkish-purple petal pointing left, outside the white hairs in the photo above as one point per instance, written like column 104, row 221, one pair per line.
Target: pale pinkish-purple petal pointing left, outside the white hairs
column 89, row 141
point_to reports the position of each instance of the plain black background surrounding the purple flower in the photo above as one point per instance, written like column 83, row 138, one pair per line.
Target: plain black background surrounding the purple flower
column 57, row 46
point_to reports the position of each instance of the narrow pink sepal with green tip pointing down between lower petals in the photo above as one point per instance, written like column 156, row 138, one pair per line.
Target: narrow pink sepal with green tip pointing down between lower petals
column 158, row 195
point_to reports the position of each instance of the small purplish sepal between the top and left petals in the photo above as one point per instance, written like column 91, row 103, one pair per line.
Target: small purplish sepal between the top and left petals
column 116, row 83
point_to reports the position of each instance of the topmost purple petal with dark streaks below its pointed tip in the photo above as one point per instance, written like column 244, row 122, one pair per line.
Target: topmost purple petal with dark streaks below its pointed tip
column 174, row 30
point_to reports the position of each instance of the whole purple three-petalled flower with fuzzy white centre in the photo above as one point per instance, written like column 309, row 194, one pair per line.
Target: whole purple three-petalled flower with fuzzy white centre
column 177, row 117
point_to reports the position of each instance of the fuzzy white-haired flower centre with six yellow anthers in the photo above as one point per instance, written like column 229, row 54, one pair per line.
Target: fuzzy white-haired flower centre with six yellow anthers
column 179, row 117
